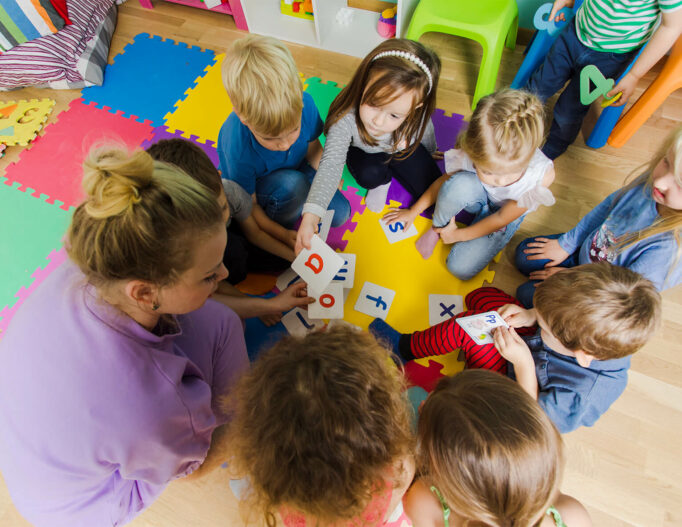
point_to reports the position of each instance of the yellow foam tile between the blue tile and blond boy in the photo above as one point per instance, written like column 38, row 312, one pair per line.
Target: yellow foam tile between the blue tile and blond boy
column 205, row 108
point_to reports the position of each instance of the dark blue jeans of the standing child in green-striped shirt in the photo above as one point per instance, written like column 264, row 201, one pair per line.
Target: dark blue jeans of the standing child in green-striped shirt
column 565, row 60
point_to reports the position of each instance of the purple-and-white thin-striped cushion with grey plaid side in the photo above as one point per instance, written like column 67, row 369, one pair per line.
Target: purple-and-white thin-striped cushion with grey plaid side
column 72, row 58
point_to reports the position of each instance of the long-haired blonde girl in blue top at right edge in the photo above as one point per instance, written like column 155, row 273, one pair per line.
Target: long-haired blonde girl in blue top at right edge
column 636, row 227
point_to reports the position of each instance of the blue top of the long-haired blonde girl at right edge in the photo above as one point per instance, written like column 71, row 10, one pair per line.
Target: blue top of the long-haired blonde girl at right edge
column 598, row 232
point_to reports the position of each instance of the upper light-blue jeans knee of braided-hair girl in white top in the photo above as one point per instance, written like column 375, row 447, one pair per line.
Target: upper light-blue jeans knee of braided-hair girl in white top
column 463, row 190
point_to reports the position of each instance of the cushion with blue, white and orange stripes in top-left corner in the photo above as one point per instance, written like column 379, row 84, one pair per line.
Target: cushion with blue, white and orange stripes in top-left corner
column 24, row 20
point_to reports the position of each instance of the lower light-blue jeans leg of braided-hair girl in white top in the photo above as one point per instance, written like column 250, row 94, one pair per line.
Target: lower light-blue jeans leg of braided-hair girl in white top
column 467, row 259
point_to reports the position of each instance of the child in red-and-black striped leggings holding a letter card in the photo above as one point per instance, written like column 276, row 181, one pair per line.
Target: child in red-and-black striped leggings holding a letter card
column 591, row 318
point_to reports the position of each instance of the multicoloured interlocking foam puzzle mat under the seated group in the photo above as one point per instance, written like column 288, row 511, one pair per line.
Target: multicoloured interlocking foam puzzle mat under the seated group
column 182, row 96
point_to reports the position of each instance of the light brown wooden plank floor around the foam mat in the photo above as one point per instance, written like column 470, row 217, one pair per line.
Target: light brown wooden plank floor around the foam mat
column 627, row 468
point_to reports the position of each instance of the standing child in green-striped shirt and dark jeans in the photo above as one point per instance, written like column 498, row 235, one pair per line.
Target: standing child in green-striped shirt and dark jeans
column 608, row 35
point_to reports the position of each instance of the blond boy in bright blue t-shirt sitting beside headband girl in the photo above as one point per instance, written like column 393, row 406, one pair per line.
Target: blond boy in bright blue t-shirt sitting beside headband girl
column 269, row 143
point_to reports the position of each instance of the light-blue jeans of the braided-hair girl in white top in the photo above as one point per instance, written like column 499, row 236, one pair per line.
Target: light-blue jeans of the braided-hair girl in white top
column 464, row 191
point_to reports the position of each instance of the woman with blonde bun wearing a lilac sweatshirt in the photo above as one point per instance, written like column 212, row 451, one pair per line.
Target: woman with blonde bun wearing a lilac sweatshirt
column 112, row 368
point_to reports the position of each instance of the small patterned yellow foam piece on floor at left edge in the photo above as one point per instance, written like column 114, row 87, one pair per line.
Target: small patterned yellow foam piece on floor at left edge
column 20, row 121
